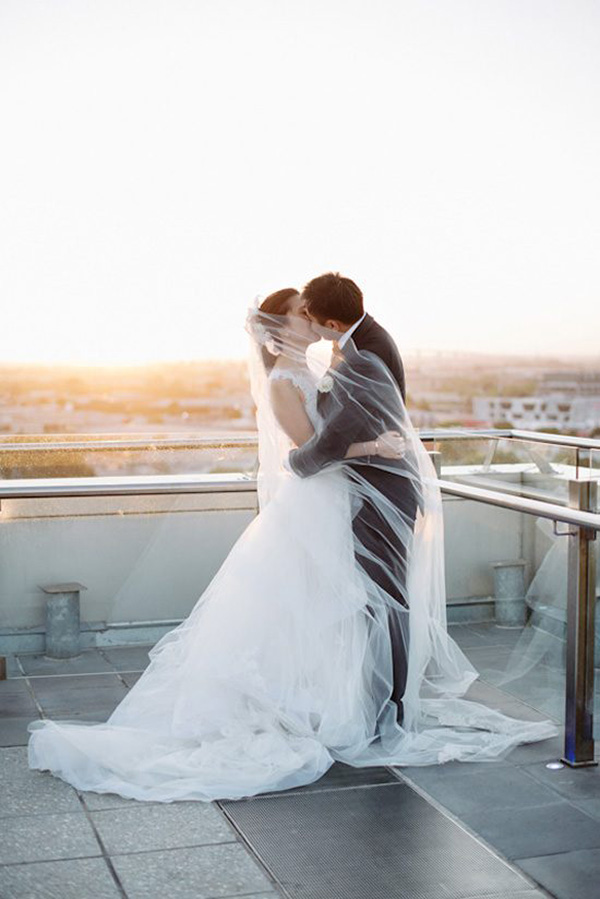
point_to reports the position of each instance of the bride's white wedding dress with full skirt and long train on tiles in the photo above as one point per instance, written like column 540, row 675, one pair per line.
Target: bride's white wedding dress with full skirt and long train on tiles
column 269, row 679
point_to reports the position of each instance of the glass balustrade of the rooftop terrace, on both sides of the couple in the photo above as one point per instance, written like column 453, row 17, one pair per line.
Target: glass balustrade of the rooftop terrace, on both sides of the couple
column 143, row 559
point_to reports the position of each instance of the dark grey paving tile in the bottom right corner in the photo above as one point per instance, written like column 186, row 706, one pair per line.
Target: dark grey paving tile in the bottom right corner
column 568, row 875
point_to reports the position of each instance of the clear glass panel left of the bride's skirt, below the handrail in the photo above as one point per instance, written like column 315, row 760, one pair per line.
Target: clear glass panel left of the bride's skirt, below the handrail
column 143, row 562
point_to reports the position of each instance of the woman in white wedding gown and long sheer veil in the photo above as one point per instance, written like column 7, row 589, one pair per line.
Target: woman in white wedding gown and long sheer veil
column 286, row 663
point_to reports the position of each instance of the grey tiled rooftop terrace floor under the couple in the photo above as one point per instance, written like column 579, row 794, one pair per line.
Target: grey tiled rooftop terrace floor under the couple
column 512, row 828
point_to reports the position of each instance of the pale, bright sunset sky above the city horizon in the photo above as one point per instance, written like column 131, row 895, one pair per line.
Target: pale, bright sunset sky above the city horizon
column 164, row 161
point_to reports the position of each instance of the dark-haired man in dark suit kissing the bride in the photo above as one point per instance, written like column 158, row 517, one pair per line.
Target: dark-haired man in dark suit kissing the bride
column 335, row 303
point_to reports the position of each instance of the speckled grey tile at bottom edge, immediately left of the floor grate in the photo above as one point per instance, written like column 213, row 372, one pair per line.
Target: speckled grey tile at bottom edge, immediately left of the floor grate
column 205, row 872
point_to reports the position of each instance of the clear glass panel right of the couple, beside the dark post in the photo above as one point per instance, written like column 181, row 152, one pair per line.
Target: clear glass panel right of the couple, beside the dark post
column 506, row 583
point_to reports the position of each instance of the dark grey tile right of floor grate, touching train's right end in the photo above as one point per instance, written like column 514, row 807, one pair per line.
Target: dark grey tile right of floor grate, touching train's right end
column 499, row 788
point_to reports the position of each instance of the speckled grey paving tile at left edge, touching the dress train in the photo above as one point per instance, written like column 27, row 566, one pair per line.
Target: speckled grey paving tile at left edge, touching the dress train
column 25, row 791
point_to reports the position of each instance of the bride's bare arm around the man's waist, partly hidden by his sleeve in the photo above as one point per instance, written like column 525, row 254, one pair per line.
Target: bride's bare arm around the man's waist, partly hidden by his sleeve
column 290, row 412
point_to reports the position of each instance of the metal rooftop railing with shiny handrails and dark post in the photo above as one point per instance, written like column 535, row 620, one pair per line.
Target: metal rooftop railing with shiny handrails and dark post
column 579, row 515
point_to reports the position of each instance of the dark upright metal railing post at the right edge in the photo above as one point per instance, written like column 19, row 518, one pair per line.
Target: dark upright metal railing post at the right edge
column 581, row 610
